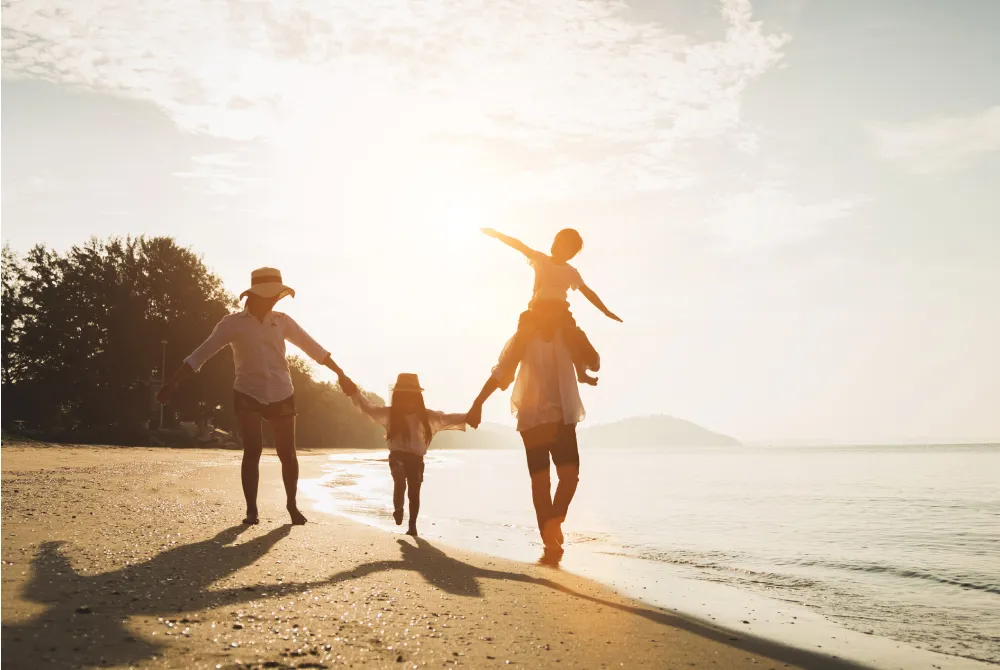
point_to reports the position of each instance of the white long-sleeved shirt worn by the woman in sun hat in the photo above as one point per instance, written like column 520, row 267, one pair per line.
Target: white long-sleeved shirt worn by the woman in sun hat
column 258, row 352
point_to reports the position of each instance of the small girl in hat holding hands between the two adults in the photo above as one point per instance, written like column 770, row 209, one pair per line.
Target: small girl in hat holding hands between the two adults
column 409, row 428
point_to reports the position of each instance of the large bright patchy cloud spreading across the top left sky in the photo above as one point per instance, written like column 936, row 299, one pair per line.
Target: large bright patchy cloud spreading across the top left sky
column 574, row 90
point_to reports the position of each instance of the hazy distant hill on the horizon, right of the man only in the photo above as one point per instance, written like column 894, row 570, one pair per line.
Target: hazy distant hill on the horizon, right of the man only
column 653, row 431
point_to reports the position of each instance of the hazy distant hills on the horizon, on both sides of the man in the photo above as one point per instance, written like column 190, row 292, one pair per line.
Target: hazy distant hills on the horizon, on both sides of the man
column 640, row 431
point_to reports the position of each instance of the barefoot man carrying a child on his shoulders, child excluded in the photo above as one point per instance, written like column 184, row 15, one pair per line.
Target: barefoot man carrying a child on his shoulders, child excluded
column 546, row 401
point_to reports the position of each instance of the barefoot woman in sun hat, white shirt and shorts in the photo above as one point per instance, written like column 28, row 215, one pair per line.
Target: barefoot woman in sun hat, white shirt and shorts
column 263, row 386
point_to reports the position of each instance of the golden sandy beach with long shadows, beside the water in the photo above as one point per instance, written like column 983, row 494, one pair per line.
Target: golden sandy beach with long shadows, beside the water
column 131, row 557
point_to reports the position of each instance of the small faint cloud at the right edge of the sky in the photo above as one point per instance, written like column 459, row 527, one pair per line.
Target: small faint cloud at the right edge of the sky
column 942, row 144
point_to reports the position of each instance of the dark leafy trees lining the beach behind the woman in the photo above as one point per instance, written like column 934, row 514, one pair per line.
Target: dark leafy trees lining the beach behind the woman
column 82, row 348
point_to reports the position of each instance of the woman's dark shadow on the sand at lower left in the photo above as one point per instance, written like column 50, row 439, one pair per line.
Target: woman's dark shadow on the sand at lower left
column 83, row 623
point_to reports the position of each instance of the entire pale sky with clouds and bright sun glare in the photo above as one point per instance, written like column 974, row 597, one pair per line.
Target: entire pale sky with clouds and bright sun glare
column 791, row 203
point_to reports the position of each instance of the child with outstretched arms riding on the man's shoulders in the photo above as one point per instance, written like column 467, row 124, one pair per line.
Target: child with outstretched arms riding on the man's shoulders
column 554, row 277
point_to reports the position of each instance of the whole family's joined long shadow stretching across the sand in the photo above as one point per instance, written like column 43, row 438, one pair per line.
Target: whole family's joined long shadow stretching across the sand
column 83, row 623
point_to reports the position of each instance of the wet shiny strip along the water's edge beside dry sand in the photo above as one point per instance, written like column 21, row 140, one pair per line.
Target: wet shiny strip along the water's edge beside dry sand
column 673, row 589
